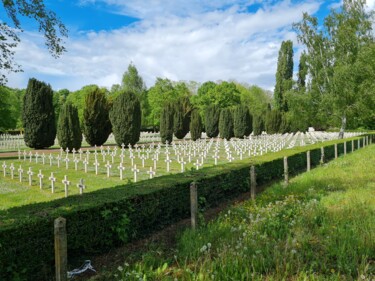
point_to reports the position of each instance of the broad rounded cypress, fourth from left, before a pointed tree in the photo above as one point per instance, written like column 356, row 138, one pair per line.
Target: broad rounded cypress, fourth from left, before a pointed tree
column 125, row 117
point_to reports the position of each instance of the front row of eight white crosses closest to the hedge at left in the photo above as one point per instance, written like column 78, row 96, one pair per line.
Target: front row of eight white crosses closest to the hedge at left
column 40, row 176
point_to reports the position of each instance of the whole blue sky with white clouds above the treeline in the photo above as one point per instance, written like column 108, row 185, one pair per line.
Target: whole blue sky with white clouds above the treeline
column 182, row 40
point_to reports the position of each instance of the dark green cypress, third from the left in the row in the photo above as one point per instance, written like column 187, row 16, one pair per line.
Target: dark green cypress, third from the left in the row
column 96, row 123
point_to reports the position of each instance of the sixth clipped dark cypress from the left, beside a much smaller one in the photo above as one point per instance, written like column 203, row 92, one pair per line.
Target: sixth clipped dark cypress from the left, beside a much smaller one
column 181, row 118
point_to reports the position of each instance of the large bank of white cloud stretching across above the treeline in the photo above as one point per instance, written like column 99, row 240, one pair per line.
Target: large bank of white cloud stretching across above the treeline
column 213, row 44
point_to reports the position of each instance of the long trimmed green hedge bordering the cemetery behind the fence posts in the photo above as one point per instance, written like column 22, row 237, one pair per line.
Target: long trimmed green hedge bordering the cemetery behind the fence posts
column 103, row 219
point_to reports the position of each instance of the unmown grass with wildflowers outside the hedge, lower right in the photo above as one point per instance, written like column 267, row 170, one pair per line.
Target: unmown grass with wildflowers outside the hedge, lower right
column 320, row 227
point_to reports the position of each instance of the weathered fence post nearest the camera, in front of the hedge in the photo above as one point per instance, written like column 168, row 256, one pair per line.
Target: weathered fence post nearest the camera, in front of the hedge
column 61, row 253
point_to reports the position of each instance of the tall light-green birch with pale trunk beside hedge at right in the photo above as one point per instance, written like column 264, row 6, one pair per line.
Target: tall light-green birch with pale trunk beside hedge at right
column 332, row 51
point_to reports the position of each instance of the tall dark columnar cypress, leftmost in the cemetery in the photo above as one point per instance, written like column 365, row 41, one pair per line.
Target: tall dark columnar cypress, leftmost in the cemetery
column 38, row 115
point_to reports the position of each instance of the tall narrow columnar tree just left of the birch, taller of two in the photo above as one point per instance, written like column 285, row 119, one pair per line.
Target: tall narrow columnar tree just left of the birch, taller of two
column 284, row 74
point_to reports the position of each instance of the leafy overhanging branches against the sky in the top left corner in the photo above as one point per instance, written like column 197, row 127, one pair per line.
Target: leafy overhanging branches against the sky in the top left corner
column 52, row 28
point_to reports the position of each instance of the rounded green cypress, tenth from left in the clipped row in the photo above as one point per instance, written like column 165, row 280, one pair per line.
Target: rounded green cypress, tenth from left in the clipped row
column 242, row 121
